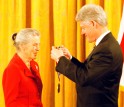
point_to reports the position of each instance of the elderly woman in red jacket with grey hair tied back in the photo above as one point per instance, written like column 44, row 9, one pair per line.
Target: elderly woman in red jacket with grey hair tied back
column 22, row 84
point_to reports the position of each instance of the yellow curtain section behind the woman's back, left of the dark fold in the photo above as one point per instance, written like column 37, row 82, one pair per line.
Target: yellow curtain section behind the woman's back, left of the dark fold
column 12, row 19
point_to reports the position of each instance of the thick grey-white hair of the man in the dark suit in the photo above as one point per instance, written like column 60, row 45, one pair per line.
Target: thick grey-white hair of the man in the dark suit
column 93, row 12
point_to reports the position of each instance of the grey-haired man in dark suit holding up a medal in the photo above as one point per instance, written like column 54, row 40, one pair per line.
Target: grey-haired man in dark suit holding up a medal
column 97, row 78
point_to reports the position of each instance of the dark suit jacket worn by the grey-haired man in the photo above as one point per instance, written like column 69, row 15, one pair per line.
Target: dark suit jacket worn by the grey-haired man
column 97, row 79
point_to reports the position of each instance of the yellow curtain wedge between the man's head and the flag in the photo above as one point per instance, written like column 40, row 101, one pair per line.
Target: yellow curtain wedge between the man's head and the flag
column 114, row 12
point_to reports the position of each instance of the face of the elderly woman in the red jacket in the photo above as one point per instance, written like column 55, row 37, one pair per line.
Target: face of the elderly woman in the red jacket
column 30, row 49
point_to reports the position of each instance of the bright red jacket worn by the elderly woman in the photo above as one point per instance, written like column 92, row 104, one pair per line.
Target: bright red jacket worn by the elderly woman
column 22, row 87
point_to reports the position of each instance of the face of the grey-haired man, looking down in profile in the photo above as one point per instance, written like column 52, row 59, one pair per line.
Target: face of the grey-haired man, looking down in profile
column 88, row 29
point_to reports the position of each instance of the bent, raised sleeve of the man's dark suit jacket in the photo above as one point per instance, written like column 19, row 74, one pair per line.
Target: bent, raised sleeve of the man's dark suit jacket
column 88, row 72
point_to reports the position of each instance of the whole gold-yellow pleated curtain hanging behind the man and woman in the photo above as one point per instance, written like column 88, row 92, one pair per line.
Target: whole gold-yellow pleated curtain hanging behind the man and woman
column 55, row 19
